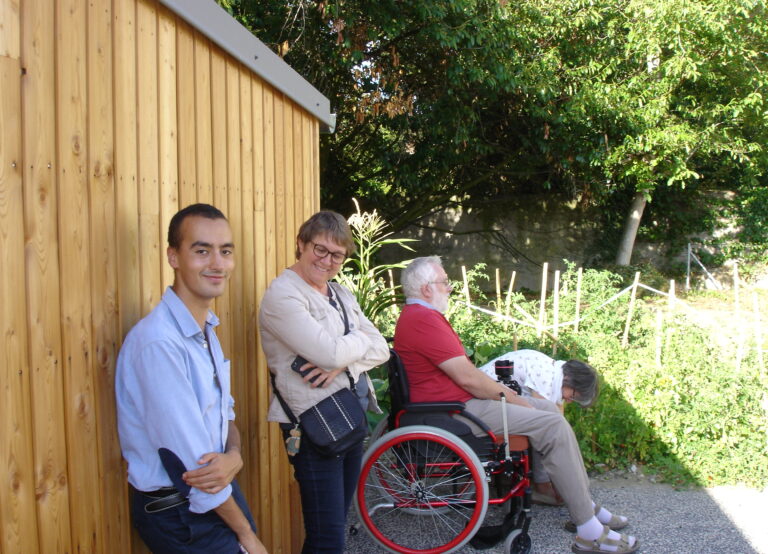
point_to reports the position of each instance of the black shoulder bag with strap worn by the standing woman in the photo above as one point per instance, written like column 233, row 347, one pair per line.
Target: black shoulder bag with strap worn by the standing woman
column 333, row 425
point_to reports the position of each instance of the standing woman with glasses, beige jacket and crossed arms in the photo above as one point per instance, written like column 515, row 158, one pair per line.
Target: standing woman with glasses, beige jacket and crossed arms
column 317, row 341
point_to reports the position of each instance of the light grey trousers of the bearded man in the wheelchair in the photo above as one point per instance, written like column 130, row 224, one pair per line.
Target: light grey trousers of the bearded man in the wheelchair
column 552, row 436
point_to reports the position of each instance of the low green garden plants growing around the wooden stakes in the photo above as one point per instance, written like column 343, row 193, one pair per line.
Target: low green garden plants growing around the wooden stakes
column 694, row 418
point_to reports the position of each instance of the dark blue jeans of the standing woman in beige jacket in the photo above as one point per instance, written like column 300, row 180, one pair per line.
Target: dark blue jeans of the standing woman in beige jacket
column 326, row 486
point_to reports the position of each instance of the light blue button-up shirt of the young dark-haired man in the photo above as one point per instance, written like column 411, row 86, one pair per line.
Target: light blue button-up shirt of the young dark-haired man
column 173, row 391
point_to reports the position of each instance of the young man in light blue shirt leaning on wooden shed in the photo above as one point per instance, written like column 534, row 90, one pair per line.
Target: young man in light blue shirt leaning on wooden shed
column 175, row 411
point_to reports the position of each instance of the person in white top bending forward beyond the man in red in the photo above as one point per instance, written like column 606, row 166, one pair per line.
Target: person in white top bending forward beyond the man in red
column 558, row 381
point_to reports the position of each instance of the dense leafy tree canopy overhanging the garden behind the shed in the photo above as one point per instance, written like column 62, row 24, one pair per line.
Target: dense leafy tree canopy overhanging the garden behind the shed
column 468, row 101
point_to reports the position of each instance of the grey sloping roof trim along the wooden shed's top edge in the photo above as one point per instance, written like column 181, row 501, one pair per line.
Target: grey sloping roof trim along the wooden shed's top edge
column 214, row 22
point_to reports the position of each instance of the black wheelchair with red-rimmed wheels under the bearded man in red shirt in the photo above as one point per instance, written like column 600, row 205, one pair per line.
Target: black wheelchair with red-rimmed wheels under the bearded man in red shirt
column 426, row 472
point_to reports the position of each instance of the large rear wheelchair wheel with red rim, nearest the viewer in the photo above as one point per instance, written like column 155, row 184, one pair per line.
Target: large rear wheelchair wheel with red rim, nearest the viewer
column 421, row 490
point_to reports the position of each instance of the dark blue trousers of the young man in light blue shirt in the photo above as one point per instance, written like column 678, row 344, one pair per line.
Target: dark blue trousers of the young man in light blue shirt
column 179, row 531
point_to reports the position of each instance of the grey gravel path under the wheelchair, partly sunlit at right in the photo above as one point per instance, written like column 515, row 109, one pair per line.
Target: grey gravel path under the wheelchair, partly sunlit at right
column 722, row 520
